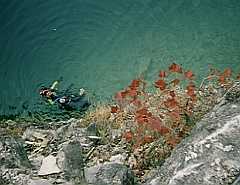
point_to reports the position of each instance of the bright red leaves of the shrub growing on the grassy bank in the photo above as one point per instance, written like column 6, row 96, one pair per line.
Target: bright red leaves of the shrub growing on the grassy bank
column 173, row 106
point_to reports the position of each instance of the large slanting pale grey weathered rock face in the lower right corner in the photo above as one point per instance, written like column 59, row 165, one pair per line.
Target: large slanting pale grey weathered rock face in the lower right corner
column 209, row 156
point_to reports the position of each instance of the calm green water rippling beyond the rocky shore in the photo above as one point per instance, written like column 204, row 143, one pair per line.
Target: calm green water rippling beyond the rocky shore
column 102, row 44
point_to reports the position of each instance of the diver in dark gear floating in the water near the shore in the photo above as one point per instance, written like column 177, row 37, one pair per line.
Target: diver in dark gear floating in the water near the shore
column 65, row 101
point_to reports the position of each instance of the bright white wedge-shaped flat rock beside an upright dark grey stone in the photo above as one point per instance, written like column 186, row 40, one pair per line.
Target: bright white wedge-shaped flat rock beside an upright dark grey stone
column 49, row 166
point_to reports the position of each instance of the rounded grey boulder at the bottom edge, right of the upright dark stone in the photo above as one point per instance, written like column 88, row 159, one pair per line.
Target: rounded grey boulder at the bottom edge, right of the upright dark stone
column 109, row 174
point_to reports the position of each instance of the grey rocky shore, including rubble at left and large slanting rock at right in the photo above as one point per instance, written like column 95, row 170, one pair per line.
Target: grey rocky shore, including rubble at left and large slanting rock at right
column 68, row 153
